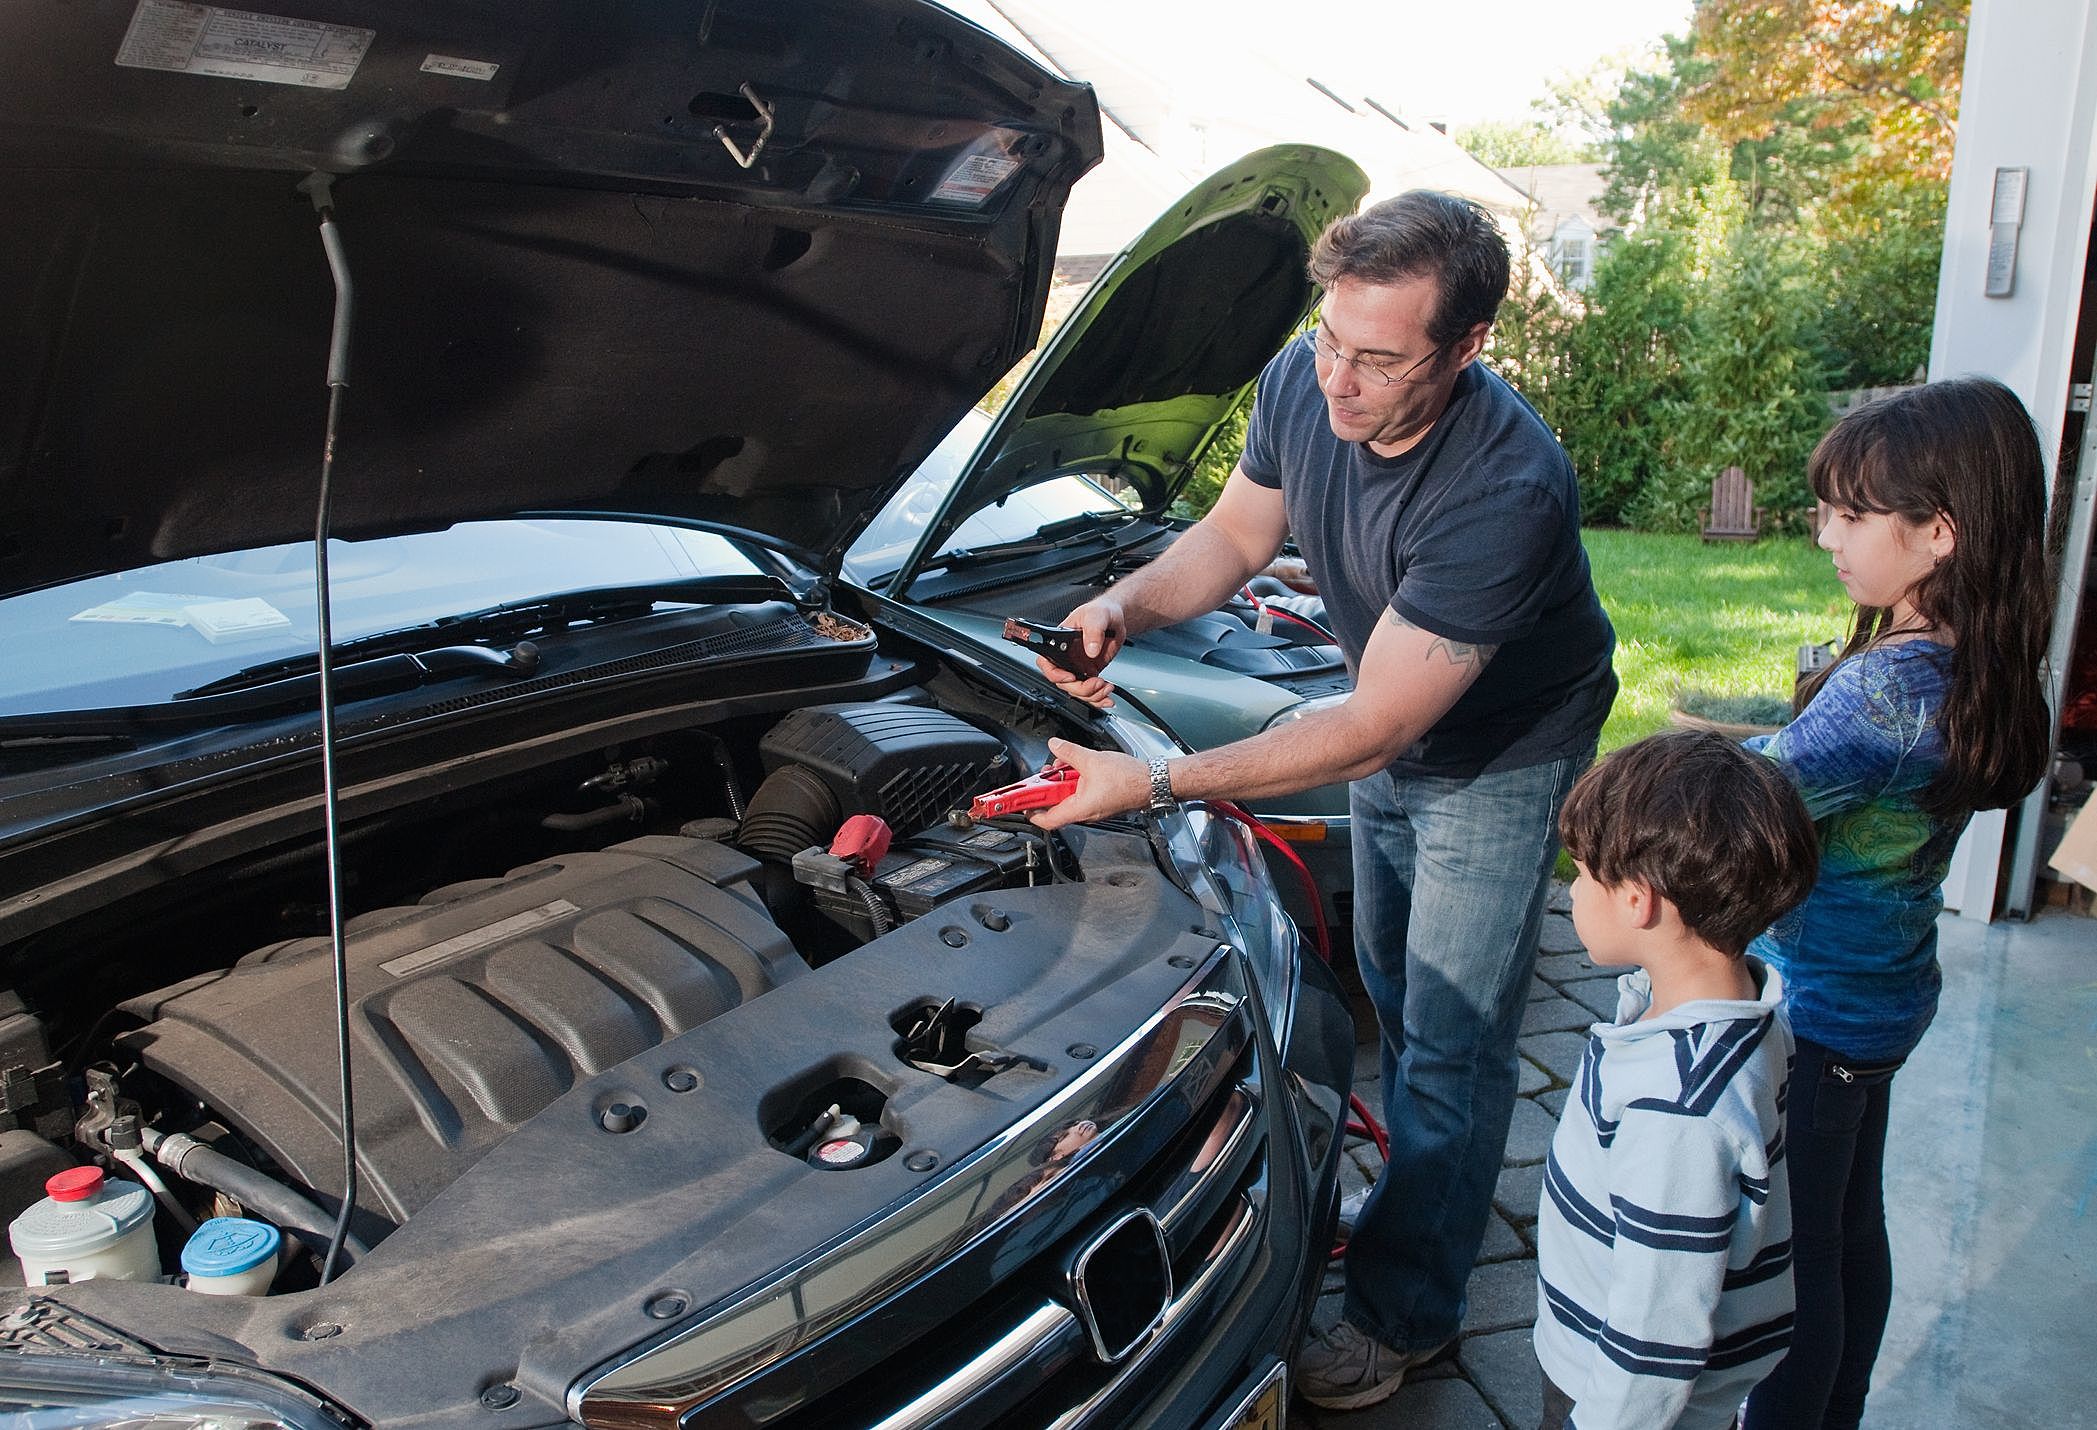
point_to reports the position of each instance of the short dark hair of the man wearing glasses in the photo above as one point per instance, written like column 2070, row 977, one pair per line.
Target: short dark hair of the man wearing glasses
column 1423, row 234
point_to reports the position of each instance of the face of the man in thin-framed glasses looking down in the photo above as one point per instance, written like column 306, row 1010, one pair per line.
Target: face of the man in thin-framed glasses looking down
column 1387, row 326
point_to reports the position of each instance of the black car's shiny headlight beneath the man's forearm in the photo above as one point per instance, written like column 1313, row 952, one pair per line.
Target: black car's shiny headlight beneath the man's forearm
column 1222, row 863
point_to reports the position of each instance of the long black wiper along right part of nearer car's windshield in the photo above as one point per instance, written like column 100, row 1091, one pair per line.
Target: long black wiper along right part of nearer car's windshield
column 448, row 647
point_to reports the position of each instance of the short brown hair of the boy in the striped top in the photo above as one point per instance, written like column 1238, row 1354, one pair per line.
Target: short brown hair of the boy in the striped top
column 1712, row 829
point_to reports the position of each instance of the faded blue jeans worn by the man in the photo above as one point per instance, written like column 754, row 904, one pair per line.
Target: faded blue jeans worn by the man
column 1450, row 884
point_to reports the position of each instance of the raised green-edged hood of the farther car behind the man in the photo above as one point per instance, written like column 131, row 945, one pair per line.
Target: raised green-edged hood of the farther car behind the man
column 1167, row 343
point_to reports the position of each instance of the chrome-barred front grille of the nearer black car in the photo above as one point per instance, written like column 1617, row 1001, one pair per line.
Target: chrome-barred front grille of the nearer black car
column 995, row 1335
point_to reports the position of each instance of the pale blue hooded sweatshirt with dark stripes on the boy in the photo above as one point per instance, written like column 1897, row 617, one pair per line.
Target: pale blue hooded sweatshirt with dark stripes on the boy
column 1664, row 1240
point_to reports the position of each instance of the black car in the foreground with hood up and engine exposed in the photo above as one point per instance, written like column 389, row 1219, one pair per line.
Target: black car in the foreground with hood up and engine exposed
column 590, row 968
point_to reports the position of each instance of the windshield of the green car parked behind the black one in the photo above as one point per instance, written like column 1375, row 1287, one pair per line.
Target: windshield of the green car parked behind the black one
column 888, row 540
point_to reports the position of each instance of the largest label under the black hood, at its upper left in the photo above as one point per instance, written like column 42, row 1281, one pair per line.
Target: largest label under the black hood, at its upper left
column 240, row 45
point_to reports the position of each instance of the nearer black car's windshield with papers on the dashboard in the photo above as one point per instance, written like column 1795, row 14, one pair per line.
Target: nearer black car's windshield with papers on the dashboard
column 139, row 636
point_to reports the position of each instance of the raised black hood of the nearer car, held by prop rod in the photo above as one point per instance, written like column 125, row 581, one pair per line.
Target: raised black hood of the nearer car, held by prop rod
column 722, row 261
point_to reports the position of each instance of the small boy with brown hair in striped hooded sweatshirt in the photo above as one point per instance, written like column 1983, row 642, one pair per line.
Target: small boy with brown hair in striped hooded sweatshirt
column 1664, row 1242
